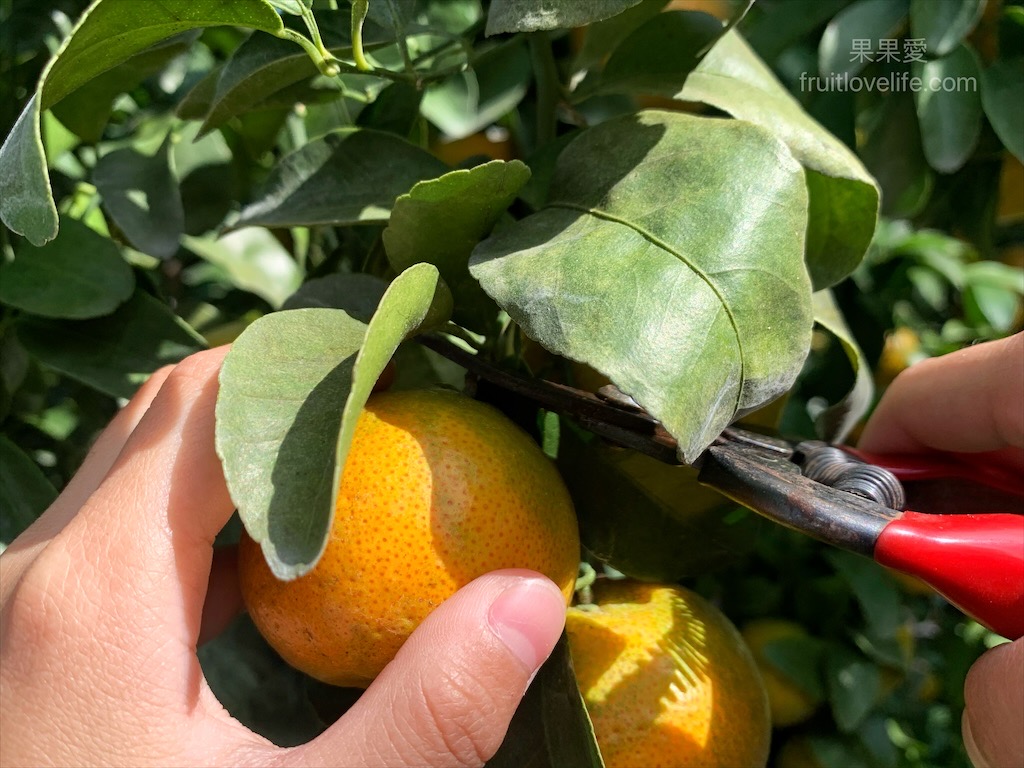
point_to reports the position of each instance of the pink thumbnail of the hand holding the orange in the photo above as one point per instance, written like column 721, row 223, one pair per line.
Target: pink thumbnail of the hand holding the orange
column 529, row 619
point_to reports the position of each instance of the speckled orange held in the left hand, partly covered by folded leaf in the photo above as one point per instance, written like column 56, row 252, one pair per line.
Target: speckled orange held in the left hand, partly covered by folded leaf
column 438, row 490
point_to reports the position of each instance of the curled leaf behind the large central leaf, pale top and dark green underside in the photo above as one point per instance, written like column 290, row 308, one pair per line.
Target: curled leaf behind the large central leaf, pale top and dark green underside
column 844, row 198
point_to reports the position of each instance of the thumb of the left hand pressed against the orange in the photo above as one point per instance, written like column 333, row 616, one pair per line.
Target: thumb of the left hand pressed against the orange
column 449, row 696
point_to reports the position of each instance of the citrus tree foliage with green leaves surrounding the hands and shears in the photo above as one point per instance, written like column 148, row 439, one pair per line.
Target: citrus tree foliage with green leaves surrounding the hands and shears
column 664, row 197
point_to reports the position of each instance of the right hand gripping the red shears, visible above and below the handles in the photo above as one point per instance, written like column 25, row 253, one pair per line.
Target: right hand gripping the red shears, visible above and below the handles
column 971, row 401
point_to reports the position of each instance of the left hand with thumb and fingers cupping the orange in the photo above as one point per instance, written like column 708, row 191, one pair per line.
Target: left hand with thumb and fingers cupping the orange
column 105, row 600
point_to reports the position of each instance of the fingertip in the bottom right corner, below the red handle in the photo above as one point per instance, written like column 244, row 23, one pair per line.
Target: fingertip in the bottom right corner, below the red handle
column 994, row 719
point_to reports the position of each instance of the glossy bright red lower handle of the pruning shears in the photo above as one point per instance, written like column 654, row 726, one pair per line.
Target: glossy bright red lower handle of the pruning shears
column 975, row 562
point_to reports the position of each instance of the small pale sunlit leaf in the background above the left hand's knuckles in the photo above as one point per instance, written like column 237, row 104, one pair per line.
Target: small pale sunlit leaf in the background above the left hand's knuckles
column 253, row 261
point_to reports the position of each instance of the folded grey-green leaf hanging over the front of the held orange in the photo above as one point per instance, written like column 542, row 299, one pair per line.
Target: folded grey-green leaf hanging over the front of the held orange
column 291, row 392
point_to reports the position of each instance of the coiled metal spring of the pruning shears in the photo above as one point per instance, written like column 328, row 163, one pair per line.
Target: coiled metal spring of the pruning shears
column 834, row 467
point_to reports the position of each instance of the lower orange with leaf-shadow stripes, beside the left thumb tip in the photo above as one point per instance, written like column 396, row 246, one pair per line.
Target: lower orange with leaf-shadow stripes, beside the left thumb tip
column 667, row 679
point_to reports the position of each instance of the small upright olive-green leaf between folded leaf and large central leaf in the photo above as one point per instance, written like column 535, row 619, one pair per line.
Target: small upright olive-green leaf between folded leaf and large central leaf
column 441, row 221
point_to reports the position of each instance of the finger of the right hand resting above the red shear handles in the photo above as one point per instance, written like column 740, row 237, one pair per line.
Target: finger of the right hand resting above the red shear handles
column 969, row 401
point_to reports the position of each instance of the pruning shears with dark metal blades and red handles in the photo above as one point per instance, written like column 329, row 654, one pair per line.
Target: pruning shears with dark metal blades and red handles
column 955, row 522
